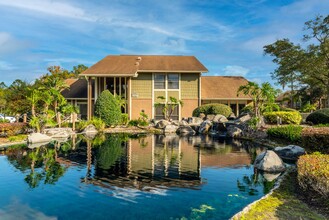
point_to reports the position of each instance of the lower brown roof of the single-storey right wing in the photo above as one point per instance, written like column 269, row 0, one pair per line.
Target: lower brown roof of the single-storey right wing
column 222, row 87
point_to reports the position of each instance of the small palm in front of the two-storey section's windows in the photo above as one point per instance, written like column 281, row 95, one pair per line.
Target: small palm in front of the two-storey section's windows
column 169, row 106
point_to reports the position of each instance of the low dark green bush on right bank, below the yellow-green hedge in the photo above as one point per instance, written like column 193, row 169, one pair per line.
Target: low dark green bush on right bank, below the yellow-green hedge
column 290, row 132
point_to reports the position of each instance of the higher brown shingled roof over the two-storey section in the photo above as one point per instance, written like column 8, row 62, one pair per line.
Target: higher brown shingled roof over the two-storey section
column 130, row 65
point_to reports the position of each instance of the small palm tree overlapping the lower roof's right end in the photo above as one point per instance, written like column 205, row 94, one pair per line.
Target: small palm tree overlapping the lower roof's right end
column 263, row 96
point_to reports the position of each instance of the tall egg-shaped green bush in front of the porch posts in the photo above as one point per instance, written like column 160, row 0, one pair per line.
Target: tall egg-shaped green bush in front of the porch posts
column 108, row 108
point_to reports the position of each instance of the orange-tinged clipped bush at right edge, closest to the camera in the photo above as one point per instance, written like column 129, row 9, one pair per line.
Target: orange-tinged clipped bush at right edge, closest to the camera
column 313, row 173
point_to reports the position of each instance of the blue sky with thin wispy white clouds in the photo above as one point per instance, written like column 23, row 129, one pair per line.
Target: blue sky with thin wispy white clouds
column 227, row 36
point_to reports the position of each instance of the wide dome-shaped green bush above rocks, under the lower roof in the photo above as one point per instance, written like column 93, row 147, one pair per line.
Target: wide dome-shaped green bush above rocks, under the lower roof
column 212, row 109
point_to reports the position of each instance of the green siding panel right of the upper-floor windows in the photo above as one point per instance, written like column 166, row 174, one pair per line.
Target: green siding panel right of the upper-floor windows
column 190, row 86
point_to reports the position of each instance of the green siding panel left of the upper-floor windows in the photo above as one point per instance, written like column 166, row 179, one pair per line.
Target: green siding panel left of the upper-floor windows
column 142, row 86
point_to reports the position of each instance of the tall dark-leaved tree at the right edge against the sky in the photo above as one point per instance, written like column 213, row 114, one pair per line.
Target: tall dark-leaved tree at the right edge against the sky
column 307, row 66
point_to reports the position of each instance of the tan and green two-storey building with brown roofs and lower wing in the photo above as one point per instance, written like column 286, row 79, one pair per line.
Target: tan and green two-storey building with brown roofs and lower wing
column 140, row 80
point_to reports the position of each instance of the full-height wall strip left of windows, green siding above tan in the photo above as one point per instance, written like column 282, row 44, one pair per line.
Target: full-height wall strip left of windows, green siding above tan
column 141, row 95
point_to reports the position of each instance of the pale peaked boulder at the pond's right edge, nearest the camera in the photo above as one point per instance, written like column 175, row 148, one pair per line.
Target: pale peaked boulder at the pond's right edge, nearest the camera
column 269, row 161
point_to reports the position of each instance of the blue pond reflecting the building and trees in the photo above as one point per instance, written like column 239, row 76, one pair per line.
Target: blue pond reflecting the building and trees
column 136, row 177
